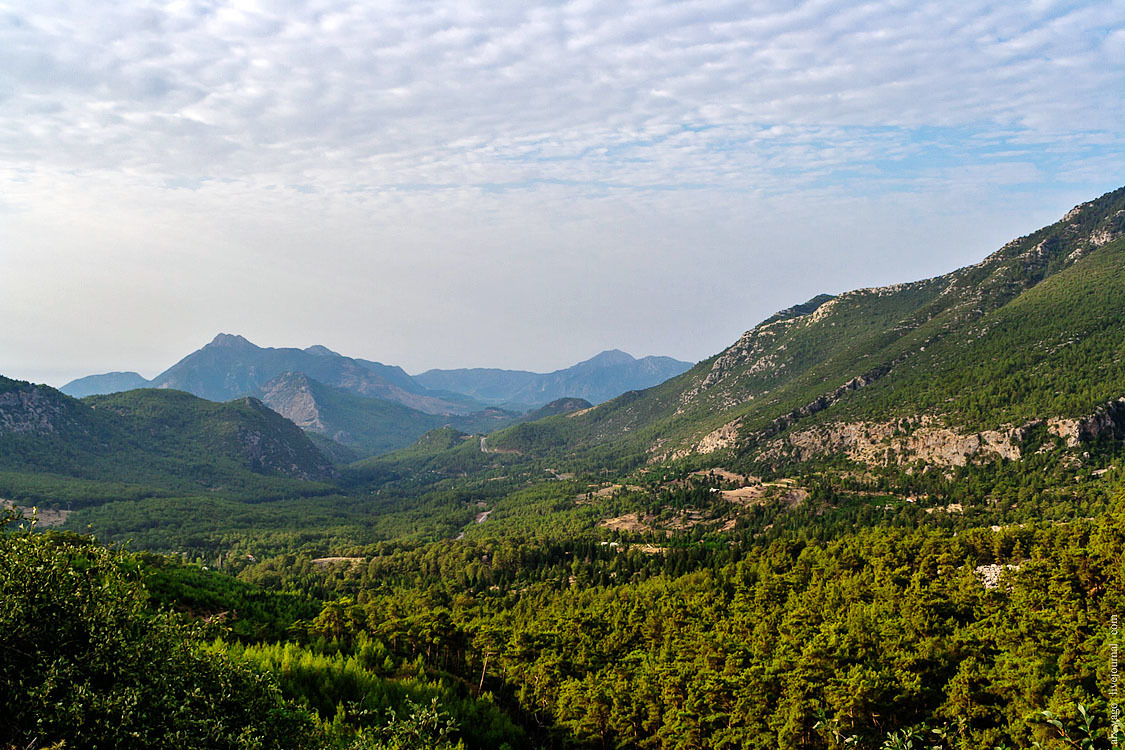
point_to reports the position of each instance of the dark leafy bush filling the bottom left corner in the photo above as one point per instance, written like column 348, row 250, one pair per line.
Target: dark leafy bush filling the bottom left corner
column 84, row 662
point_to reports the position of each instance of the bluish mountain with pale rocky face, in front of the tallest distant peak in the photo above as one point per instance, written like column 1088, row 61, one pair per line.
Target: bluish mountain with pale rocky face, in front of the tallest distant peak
column 368, row 426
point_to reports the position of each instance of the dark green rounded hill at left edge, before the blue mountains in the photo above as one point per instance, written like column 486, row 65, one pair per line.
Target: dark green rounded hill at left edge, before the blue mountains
column 163, row 440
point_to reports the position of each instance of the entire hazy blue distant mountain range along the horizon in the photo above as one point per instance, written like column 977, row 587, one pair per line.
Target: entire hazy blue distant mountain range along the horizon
column 371, row 408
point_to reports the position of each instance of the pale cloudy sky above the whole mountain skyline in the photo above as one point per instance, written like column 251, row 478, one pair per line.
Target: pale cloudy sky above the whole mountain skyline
column 518, row 185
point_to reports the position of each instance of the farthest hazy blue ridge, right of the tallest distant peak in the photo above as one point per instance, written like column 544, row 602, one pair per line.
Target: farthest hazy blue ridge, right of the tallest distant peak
column 598, row 379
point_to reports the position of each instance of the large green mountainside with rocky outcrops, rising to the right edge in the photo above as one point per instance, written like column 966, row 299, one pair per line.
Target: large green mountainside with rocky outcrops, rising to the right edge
column 932, row 348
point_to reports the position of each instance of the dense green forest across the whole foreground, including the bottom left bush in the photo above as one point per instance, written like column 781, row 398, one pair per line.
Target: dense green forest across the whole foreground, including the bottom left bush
column 857, row 621
